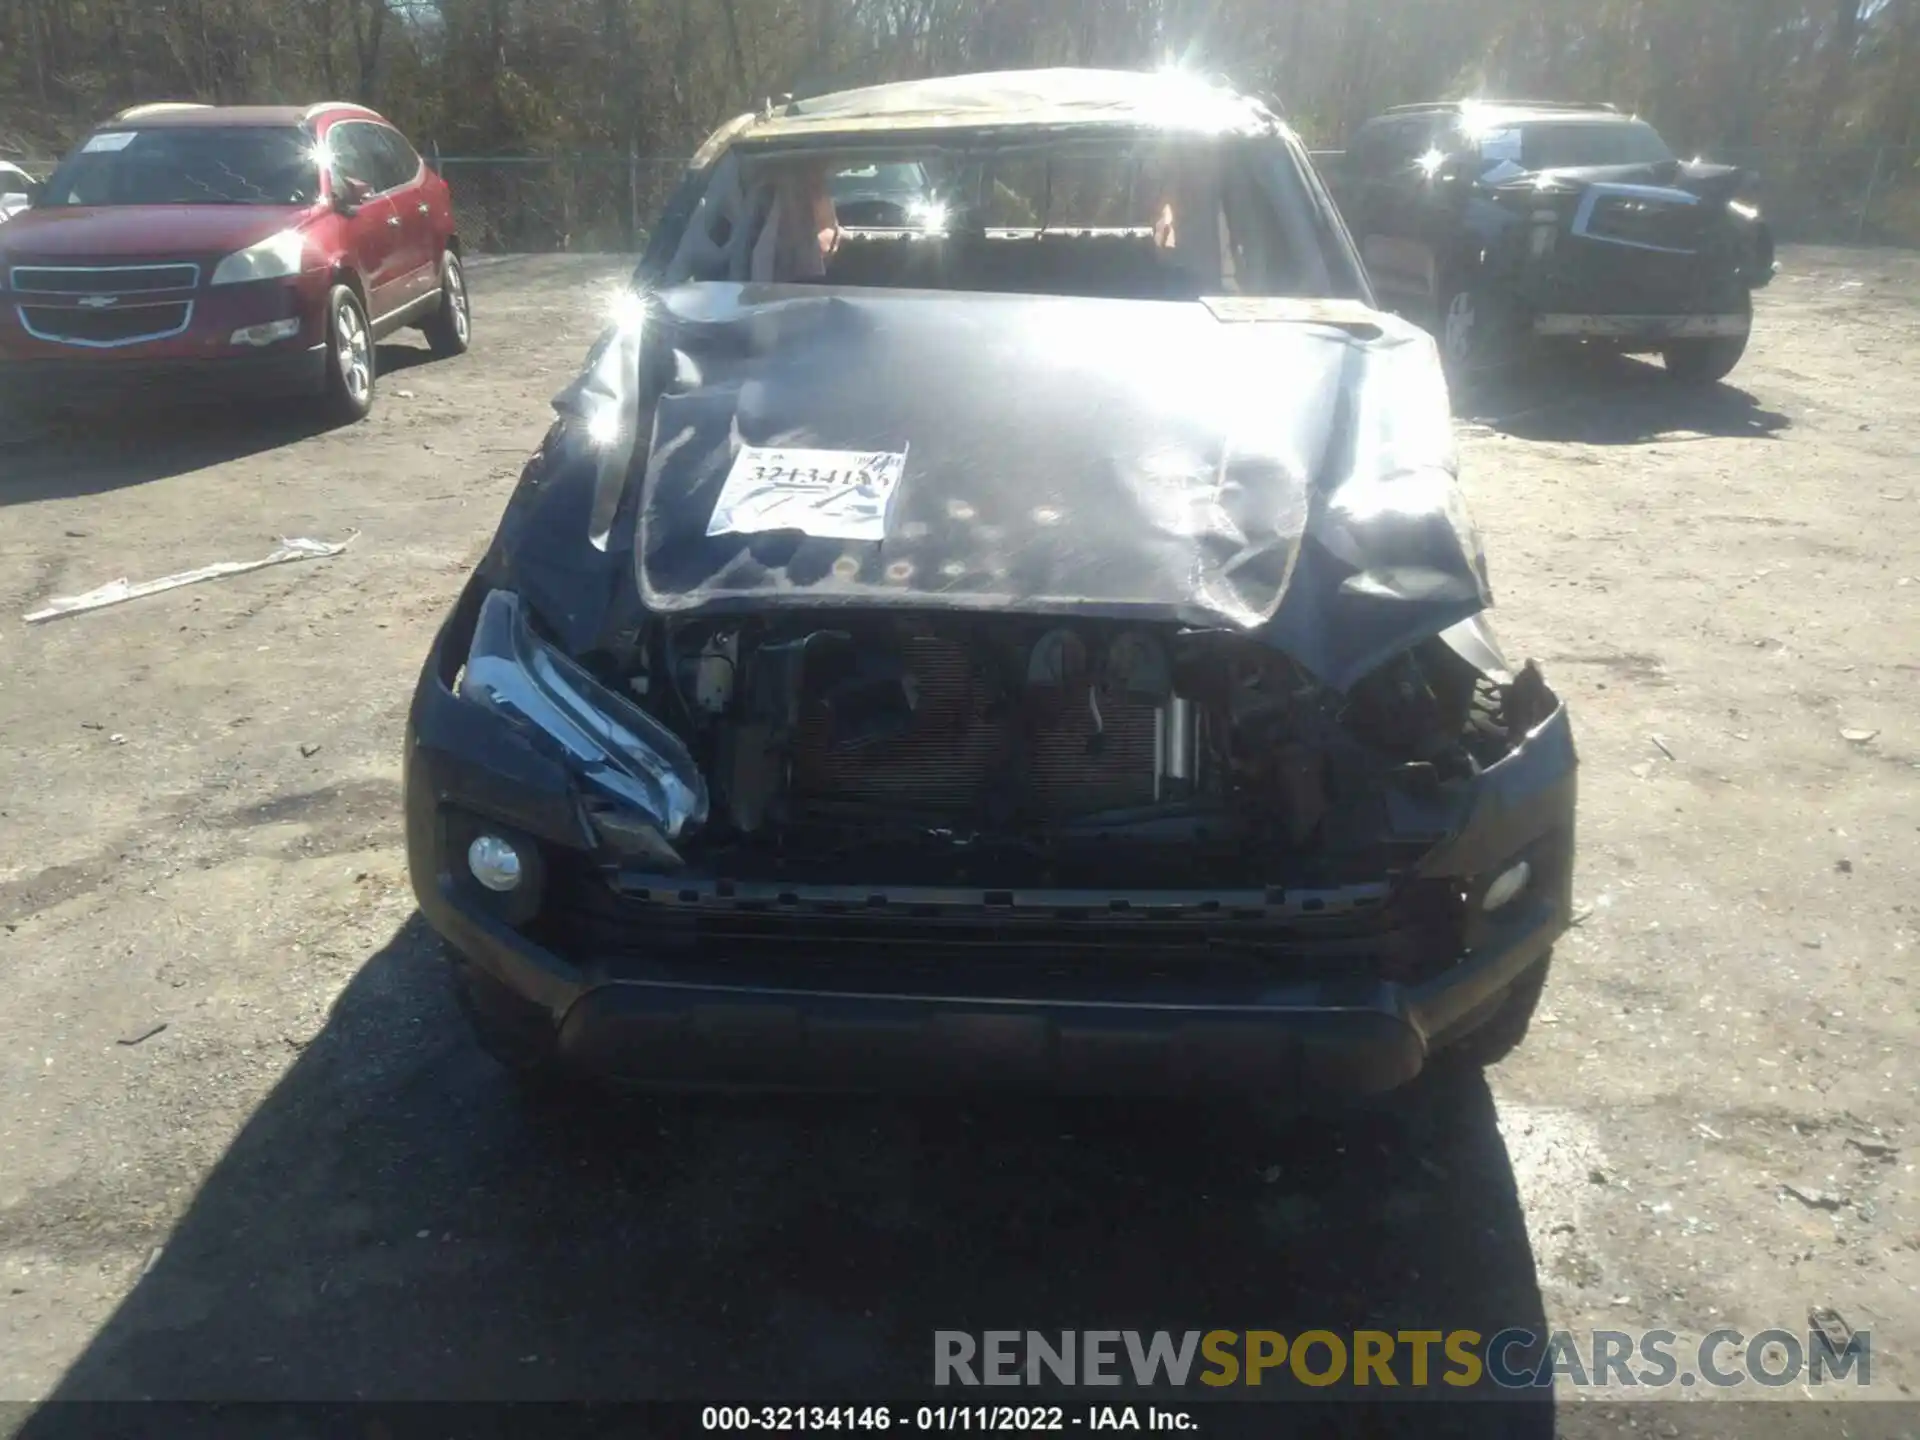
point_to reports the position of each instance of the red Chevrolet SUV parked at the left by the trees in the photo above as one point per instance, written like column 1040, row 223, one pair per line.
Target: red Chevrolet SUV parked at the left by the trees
column 229, row 252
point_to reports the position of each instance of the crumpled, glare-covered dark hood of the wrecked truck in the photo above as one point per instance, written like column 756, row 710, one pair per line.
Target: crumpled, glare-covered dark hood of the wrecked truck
column 1276, row 468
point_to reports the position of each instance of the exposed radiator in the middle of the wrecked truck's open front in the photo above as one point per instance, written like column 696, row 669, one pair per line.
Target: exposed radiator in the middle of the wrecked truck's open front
column 955, row 750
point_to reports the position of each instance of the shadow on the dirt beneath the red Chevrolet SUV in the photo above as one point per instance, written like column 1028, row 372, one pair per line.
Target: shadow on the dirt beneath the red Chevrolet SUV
column 93, row 452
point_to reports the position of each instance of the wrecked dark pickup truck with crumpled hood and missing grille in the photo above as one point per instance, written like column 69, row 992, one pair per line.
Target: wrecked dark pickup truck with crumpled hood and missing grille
column 1032, row 646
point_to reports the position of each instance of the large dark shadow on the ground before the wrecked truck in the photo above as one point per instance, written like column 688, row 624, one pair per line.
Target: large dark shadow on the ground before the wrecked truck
column 395, row 1224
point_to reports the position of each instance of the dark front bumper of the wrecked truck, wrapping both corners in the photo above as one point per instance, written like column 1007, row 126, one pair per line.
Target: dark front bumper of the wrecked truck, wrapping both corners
column 834, row 1017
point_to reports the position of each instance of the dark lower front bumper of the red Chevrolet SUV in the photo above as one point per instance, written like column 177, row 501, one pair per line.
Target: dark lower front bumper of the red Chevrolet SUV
column 279, row 373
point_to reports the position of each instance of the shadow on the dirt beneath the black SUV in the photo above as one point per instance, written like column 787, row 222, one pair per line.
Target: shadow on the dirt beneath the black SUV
column 1612, row 400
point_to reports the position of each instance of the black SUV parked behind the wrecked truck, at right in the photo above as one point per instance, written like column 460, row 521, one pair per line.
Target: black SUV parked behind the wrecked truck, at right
column 1497, row 222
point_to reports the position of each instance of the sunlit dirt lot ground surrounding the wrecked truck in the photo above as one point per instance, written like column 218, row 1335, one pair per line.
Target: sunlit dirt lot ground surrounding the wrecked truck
column 310, row 1186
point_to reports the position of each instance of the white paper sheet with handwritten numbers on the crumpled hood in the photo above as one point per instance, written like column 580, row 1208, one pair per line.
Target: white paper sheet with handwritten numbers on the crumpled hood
column 832, row 494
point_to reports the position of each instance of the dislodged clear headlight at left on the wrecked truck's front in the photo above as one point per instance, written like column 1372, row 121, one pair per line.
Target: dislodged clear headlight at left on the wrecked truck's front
column 613, row 744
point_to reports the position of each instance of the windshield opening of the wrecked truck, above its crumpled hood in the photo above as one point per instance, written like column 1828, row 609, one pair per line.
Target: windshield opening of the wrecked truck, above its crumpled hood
column 1120, row 218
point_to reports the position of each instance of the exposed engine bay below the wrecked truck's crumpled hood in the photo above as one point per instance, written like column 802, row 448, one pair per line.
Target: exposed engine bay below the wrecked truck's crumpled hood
column 1086, row 744
